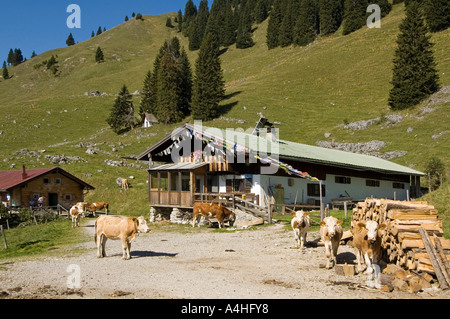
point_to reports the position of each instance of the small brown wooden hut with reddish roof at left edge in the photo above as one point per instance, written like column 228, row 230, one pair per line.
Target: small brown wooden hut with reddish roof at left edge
column 23, row 188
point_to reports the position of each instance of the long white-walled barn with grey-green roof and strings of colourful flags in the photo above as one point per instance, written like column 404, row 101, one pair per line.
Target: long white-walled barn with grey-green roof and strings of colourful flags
column 196, row 162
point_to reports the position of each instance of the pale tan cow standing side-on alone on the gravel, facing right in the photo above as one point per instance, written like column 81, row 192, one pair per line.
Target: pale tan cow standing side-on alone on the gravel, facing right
column 123, row 228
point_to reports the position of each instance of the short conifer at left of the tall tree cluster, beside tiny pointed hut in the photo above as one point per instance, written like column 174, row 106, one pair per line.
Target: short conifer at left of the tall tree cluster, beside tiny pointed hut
column 122, row 117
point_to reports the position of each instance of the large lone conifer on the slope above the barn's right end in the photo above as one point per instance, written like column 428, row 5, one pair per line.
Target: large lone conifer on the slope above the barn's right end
column 414, row 75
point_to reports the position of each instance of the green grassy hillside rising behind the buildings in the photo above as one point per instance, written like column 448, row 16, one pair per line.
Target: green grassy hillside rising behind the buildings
column 311, row 90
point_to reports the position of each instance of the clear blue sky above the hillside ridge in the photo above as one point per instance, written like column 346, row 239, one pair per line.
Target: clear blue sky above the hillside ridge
column 42, row 25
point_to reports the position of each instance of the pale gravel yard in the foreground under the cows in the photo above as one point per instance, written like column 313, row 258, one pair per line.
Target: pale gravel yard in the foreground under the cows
column 251, row 264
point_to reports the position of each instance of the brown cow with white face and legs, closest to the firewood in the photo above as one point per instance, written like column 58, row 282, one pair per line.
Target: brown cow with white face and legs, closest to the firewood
column 367, row 242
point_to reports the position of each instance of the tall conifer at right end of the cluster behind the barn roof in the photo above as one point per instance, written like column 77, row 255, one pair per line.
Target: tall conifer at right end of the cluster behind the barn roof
column 209, row 86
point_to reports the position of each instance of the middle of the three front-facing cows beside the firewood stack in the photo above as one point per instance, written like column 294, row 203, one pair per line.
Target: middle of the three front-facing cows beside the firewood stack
column 331, row 233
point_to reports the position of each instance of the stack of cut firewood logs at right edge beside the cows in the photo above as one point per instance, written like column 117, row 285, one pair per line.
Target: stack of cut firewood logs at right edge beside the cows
column 402, row 240
